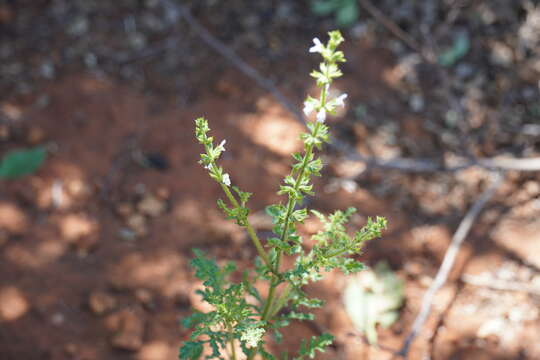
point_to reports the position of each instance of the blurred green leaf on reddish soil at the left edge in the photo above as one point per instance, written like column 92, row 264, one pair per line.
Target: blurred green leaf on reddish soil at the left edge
column 18, row 163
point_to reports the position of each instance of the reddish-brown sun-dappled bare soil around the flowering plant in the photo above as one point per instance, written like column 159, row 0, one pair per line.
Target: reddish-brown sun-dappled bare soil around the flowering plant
column 95, row 247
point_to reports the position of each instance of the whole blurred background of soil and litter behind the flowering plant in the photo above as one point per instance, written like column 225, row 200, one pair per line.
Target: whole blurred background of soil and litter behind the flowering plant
column 102, row 199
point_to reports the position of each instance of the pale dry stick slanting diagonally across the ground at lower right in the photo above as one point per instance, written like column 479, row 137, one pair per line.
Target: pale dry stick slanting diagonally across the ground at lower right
column 448, row 262
